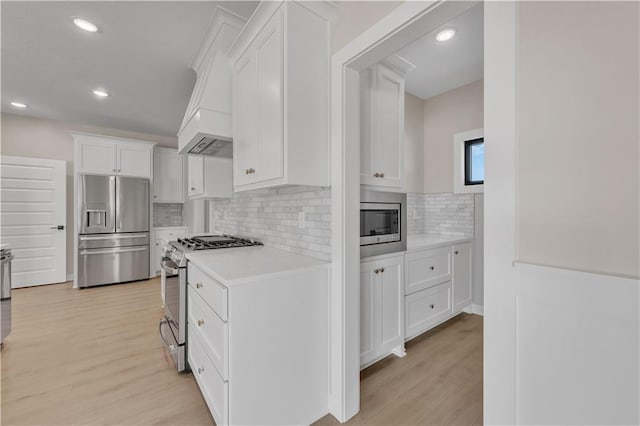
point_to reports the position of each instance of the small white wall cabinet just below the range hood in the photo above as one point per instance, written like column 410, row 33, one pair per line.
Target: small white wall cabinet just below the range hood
column 209, row 177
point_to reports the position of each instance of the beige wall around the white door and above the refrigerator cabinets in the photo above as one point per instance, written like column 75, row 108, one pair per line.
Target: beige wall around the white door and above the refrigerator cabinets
column 38, row 138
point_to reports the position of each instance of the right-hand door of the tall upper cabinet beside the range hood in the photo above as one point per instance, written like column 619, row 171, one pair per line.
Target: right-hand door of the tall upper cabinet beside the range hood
column 269, row 54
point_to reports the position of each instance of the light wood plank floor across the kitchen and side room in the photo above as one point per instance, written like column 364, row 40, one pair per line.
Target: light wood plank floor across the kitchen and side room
column 93, row 357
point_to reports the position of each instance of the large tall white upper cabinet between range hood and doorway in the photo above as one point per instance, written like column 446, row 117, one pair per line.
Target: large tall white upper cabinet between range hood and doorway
column 281, row 125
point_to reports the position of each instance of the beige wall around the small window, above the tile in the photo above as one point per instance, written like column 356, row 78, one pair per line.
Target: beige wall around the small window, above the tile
column 452, row 112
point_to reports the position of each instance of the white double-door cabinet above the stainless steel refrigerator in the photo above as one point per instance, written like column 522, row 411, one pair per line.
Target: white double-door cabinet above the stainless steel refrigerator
column 105, row 155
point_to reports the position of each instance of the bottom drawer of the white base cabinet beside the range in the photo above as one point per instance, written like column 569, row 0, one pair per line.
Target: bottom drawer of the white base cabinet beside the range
column 213, row 388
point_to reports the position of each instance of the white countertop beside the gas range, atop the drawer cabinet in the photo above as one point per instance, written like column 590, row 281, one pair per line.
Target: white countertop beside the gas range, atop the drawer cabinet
column 243, row 264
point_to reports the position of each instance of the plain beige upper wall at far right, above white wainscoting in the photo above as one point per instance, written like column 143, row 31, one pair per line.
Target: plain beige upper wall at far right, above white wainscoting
column 578, row 192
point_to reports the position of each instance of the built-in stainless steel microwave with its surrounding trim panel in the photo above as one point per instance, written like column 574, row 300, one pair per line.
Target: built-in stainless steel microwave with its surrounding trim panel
column 382, row 222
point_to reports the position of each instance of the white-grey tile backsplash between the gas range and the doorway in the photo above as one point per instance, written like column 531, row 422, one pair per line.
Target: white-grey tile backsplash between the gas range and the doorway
column 273, row 217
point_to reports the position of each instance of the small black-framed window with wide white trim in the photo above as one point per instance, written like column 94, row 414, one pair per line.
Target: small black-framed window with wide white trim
column 468, row 162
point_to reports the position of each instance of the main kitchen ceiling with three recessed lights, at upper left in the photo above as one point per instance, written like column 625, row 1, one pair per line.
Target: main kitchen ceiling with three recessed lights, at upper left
column 141, row 56
